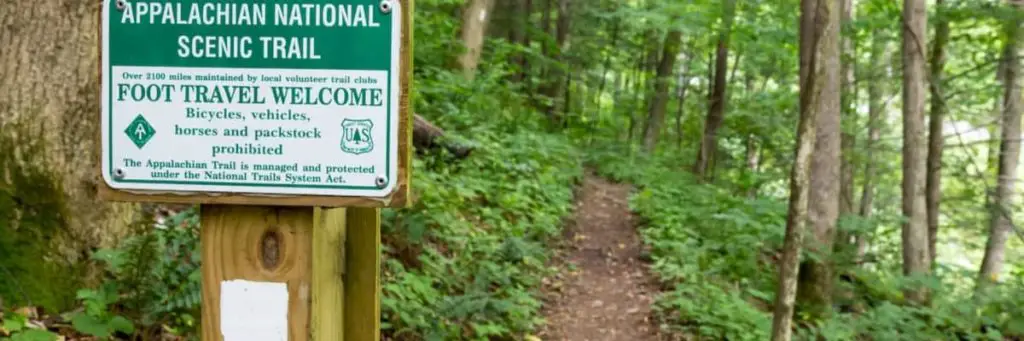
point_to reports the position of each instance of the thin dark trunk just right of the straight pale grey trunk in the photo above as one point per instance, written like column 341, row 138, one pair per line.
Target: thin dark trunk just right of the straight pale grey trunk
column 936, row 118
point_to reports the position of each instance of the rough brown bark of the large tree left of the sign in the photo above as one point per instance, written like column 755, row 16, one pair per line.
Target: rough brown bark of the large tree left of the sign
column 50, row 93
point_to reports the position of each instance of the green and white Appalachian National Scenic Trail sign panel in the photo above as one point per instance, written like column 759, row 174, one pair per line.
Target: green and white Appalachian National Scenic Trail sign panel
column 272, row 98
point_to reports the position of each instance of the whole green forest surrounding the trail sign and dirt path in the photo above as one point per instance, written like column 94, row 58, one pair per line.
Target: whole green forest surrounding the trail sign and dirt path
column 888, row 133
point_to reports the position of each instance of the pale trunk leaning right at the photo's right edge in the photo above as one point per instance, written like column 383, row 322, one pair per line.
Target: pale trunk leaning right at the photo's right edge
column 1010, row 149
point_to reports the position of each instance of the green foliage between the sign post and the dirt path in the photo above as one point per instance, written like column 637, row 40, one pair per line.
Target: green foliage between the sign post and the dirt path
column 465, row 262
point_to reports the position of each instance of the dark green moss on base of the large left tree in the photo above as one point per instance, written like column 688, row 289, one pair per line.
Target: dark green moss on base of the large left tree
column 33, row 219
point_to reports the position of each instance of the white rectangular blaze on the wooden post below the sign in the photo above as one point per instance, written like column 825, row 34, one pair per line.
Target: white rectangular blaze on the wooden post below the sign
column 253, row 311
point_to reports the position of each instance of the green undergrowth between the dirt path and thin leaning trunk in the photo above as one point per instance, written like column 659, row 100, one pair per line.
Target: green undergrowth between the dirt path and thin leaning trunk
column 712, row 248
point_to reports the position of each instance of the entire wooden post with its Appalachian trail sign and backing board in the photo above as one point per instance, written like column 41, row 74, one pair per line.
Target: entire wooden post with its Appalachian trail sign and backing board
column 289, row 122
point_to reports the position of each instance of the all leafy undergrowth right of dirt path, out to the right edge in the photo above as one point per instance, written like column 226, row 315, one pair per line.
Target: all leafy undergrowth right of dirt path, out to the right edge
column 715, row 252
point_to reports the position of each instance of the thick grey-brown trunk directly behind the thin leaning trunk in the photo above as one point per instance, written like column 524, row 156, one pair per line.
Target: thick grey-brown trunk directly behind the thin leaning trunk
column 815, row 288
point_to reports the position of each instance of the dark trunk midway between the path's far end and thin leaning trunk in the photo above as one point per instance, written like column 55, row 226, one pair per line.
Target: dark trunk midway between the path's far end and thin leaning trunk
column 716, row 101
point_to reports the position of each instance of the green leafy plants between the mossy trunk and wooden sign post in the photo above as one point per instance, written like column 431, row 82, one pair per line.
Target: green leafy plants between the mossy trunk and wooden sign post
column 153, row 282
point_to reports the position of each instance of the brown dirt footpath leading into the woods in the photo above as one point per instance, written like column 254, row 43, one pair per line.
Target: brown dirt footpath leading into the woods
column 605, row 291
